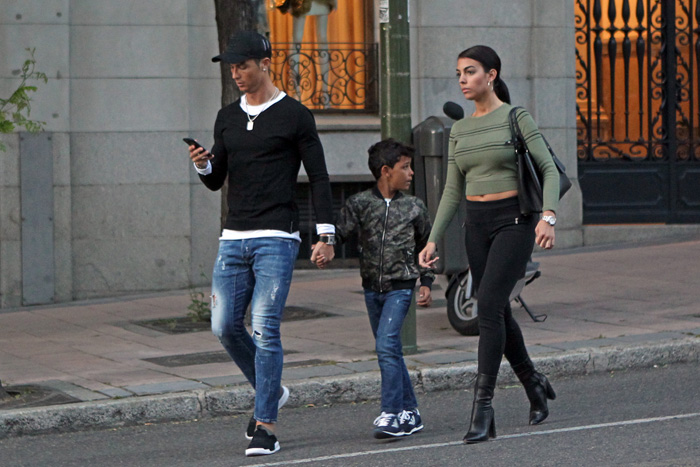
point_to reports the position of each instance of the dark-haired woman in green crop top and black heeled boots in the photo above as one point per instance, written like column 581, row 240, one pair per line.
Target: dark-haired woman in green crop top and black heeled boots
column 499, row 239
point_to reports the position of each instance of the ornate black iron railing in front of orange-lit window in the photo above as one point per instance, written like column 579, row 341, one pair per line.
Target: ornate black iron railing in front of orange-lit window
column 331, row 77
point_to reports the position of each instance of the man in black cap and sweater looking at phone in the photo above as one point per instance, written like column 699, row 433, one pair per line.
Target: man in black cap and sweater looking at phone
column 260, row 142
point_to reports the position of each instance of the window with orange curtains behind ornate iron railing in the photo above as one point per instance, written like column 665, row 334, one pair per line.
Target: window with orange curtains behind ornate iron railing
column 324, row 55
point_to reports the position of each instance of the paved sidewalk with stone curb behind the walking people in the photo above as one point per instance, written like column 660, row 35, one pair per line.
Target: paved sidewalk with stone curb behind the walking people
column 608, row 308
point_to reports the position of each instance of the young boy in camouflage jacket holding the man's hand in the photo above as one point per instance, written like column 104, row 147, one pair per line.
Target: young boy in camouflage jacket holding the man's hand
column 393, row 227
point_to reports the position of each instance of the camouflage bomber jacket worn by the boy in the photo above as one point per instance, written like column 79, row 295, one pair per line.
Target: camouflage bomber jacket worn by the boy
column 391, row 236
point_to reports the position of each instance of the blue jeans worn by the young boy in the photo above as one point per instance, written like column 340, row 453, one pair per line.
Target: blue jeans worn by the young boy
column 387, row 312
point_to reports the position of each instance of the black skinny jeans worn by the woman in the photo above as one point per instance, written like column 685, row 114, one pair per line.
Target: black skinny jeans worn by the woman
column 499, row 243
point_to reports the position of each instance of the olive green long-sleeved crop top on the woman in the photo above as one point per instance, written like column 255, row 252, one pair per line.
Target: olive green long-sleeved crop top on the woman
column 481, row 156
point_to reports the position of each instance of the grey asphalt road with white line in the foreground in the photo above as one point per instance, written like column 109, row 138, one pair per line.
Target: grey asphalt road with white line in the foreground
column 643, row 418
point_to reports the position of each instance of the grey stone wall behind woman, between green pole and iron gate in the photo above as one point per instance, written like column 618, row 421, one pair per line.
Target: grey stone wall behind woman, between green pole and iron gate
column 535, row 41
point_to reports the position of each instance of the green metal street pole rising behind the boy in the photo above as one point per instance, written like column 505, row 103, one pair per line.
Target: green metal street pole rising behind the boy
column 395, row 105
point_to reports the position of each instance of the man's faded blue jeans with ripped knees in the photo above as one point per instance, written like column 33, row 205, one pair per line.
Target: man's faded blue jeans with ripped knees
column 258, row 272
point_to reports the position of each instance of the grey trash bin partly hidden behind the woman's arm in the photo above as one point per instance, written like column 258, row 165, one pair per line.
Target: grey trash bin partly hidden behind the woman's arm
column 430, row 140
